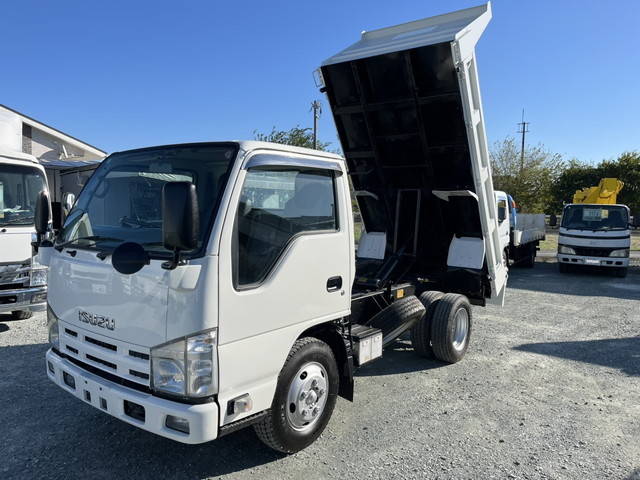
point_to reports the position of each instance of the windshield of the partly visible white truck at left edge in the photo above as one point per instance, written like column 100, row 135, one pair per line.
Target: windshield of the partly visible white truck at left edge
column 19, row 188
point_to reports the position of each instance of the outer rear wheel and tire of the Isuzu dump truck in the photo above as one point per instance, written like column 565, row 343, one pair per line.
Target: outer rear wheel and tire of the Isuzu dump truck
column 451, row 328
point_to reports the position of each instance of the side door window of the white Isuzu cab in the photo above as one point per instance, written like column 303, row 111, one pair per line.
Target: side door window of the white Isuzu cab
column 275, row 206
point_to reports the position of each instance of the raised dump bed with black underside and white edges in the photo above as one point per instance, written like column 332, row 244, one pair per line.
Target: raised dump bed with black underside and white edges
column 407, row 107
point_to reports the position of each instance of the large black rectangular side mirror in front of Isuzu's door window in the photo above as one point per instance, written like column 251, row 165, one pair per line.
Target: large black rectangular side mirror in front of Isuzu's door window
column 180, row 219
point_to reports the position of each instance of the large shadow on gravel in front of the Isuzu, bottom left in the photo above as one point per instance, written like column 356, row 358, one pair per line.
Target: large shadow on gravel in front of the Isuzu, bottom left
column 76, row 439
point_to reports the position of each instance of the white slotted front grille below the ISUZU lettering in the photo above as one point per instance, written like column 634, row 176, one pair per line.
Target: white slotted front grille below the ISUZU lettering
column 124, row 360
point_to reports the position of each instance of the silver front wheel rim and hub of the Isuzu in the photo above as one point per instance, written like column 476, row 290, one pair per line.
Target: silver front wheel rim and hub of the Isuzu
column 307, row 396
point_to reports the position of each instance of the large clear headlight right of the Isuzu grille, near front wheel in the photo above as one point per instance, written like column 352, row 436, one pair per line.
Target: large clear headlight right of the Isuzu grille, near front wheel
column 187, row 366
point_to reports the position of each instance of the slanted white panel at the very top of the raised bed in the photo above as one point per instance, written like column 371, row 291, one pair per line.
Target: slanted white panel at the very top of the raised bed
column 420, row 33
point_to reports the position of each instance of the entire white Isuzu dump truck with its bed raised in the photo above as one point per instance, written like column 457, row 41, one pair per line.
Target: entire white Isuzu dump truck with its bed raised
column 198, row 289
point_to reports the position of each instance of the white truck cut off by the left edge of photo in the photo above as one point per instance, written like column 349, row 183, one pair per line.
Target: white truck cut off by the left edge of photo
column 22, row 280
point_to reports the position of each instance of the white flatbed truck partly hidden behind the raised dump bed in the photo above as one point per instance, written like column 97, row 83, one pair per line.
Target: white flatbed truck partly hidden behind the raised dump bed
column 520, row 233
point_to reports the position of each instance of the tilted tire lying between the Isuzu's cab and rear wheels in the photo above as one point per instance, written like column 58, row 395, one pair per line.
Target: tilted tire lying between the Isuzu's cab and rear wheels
column 397, row 318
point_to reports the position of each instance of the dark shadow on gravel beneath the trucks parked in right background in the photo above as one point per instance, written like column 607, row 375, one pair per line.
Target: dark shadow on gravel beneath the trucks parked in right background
column 587, row 281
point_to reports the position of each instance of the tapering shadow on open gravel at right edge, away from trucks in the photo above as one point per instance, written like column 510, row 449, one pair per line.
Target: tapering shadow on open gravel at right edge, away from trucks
column 620, row 353
